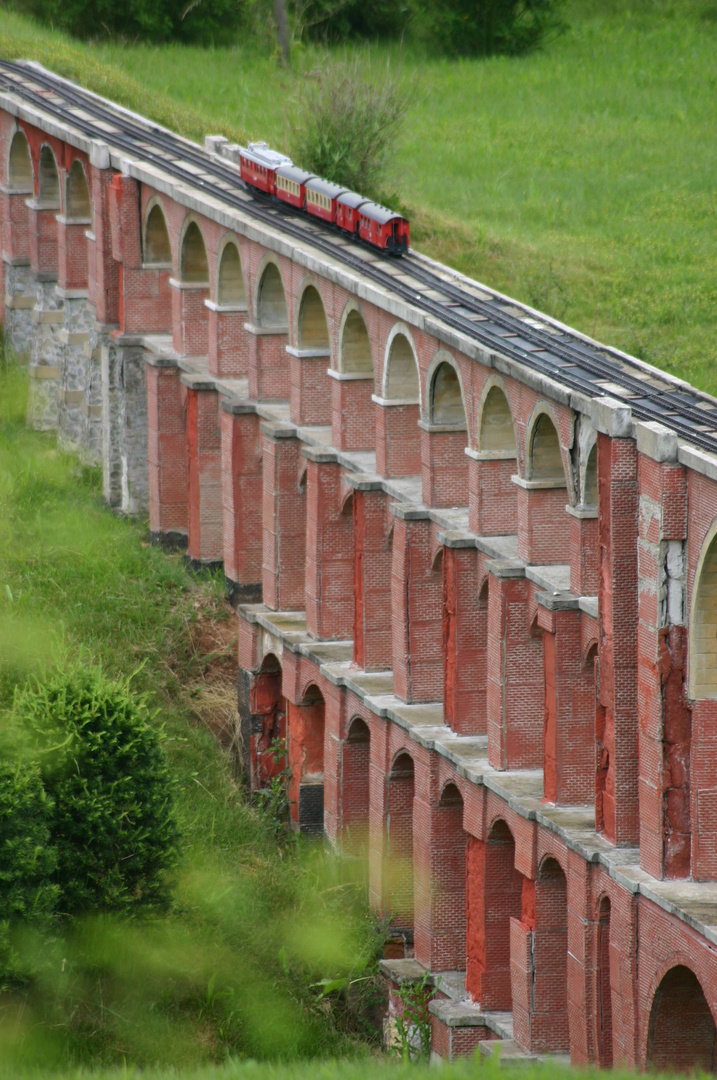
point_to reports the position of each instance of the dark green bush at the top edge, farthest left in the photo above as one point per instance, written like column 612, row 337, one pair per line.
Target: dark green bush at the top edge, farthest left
column 150, row 20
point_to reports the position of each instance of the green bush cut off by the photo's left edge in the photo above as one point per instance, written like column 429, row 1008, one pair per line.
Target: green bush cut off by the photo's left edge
column 28, row 861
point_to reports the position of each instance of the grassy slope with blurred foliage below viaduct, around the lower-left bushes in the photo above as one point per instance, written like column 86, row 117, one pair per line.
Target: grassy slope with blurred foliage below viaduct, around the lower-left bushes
column 238, row 965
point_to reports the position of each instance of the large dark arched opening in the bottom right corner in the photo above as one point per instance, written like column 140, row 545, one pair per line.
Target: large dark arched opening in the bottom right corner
column 682, row 1032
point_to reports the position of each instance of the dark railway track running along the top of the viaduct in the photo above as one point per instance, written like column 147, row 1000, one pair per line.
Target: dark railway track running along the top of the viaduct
column 489, row 319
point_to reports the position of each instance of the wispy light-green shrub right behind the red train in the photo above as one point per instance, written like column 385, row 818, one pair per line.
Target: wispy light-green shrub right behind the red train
column 347, row 123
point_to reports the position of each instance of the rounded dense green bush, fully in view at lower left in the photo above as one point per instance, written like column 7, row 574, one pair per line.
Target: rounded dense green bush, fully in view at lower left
column 103, row 765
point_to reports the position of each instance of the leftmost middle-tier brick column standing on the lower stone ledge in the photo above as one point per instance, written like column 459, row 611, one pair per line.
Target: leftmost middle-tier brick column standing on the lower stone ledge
column 285, row 522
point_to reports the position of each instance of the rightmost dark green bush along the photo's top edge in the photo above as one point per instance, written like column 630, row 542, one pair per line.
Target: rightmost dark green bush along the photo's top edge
column 486, row 28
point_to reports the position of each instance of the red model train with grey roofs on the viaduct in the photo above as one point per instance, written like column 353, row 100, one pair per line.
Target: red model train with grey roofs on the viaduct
column 277, row 175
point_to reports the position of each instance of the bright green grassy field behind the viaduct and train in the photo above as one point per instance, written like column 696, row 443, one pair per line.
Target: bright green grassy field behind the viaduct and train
column 580, row 180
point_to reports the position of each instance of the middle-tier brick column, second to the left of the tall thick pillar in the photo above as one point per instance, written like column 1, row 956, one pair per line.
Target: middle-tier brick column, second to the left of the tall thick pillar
column 516, row 697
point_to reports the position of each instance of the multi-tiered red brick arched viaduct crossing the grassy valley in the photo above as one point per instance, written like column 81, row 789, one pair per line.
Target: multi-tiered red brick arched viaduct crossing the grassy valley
column 481, row 609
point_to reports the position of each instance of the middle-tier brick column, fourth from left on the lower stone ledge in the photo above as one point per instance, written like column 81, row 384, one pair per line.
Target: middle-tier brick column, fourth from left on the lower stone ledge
column 416, row 596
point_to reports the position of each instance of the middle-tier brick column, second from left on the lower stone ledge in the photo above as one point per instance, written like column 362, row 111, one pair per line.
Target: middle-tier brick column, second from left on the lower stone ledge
column 329, row 548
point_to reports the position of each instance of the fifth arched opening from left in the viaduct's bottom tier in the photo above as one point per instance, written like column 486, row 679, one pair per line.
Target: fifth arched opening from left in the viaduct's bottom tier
column 449, row 884
